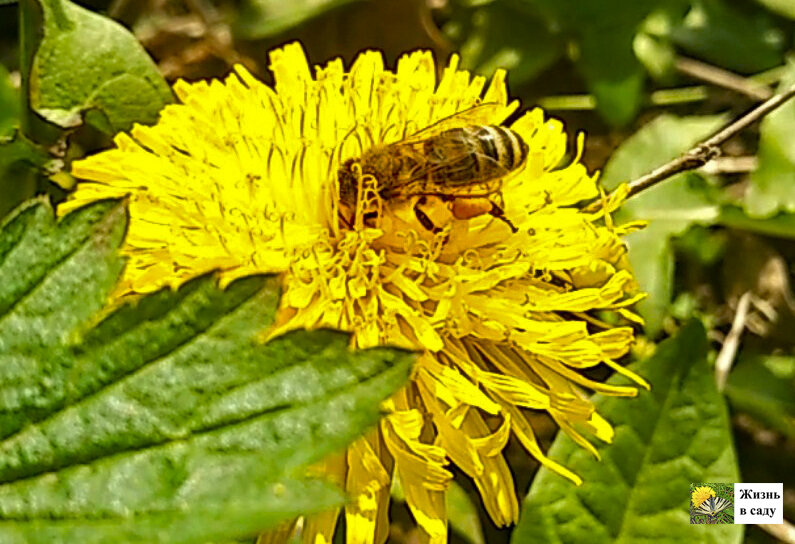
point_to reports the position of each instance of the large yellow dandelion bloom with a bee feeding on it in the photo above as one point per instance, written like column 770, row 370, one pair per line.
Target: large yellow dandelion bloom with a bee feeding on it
column 243, row 178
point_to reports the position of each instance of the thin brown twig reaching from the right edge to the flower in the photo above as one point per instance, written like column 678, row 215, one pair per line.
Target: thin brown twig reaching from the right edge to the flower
column 702, row 153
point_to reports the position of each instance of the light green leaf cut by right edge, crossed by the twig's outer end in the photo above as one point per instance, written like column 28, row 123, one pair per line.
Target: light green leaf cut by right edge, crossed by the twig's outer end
column 772, row 187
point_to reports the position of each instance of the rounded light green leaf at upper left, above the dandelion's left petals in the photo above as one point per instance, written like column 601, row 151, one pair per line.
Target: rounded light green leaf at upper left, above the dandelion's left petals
column 85, row 62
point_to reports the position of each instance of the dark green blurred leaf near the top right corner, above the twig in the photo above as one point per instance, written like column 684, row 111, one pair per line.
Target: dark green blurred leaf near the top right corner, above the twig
column 736, row 39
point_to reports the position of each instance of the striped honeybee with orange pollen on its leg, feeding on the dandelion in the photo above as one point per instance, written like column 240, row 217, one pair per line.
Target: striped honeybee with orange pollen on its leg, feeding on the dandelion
column 460, row 160
